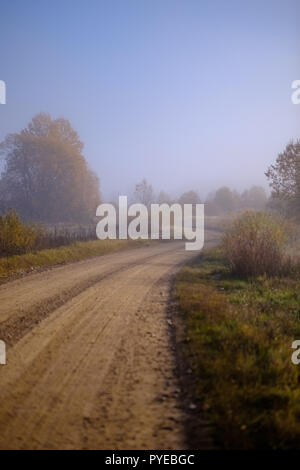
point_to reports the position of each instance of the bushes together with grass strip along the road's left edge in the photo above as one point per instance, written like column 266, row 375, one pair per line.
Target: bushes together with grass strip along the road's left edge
column 24, row 247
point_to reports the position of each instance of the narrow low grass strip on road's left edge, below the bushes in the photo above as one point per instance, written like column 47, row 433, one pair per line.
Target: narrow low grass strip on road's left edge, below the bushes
column 19, row 264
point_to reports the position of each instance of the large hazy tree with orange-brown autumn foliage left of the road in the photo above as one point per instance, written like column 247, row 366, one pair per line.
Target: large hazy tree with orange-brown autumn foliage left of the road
column 45, row 176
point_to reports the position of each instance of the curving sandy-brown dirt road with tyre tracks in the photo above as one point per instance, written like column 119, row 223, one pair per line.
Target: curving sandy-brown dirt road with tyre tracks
column 89, row 355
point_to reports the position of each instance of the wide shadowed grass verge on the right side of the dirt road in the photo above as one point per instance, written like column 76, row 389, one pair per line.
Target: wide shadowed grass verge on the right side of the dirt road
column 238, row 339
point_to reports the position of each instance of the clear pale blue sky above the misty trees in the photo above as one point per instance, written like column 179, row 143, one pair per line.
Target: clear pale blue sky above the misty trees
column 189, row 94
